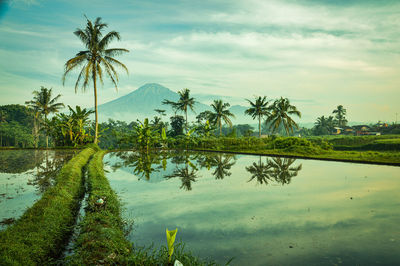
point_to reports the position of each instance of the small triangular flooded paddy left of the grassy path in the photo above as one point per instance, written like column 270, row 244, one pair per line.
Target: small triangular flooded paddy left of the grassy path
column 24, row 176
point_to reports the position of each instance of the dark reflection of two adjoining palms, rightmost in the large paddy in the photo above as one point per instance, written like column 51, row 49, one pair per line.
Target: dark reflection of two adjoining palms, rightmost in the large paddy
column 276, row 169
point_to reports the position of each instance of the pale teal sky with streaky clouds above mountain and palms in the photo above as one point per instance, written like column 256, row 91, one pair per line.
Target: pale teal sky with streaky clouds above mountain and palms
column 319, row 54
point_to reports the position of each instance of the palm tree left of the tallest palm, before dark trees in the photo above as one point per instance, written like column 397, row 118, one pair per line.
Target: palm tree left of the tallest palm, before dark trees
column 44, row 104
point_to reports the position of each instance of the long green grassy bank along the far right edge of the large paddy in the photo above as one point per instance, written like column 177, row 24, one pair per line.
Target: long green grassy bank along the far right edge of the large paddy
column 313, row 148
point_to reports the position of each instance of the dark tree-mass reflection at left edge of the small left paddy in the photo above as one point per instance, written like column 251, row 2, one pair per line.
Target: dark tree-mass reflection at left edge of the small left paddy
column 19, row 161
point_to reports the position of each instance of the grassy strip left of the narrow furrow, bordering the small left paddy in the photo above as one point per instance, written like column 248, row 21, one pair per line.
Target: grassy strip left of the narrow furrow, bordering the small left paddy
column 40, row 234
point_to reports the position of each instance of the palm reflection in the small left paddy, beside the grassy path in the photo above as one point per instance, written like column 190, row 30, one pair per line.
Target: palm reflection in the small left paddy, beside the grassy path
column 46, row 172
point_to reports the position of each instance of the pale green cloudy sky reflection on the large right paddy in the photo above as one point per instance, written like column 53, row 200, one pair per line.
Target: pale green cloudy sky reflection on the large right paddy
column 330, row 213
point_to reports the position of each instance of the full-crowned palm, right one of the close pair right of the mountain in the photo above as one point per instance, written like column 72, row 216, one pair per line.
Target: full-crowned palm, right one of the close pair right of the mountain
column 280, row 111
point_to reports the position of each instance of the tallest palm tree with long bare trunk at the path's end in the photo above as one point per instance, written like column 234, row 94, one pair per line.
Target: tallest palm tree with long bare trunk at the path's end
column 96, row 60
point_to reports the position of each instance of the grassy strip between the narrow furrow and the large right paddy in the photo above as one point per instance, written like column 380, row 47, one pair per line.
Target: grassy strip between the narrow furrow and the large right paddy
column 101, row 239
